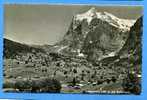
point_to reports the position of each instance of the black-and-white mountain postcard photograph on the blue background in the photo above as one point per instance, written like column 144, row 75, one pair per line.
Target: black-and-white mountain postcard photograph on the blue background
column 84, row 49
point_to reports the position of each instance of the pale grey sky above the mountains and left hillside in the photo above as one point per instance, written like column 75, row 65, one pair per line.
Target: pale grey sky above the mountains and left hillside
column 47, row 24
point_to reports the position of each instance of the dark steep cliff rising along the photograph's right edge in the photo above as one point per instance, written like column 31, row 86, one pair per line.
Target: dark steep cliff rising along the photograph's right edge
column 133, row 42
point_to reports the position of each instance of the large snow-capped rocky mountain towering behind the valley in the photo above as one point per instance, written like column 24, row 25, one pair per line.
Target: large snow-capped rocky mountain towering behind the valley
column 94, row 35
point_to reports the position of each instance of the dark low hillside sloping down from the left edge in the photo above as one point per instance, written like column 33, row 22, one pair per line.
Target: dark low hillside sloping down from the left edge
column 12, row 48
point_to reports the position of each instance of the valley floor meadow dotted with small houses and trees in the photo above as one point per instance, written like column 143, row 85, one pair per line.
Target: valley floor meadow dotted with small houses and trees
column 75, row 74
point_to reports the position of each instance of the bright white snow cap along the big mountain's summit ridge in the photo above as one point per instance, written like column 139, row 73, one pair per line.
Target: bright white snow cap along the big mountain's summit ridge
column 123, row 24
